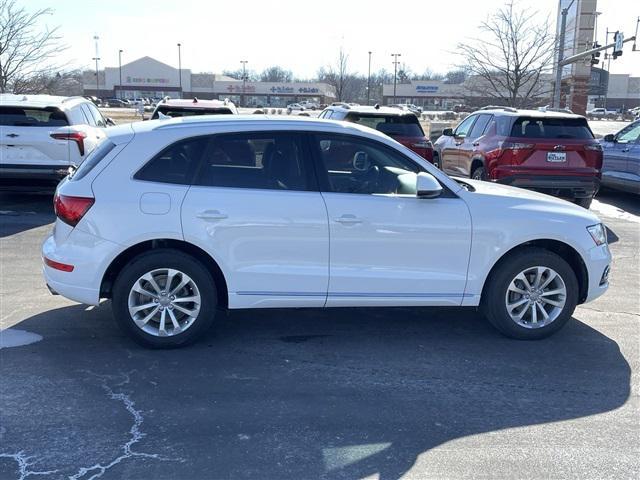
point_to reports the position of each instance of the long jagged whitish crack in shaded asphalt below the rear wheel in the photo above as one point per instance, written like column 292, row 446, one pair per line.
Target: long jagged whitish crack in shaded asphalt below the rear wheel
column 135, row 434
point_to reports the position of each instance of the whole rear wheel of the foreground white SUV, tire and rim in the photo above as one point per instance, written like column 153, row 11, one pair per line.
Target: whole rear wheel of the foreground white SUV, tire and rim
column 164, row 299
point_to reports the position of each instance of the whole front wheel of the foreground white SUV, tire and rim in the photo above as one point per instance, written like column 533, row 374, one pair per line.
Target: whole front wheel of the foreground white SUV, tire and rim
column 531, row 294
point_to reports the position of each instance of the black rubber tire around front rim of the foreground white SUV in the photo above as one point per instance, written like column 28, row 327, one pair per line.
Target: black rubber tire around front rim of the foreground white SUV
column 493, row 299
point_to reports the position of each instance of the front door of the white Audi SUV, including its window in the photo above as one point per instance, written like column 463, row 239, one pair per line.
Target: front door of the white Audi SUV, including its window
column 388, row 247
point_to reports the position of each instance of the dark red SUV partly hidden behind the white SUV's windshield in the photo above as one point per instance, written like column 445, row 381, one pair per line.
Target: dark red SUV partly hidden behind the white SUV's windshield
column 401, row 125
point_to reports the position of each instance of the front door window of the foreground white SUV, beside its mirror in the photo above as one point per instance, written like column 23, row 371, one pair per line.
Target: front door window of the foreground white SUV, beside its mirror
column 355, row 165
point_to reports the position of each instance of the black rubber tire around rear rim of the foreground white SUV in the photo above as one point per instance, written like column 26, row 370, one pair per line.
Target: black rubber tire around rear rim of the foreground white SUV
column 159, row 259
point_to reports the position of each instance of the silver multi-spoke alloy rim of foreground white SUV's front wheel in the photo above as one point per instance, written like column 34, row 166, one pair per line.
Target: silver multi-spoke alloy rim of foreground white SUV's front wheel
column 536, row 297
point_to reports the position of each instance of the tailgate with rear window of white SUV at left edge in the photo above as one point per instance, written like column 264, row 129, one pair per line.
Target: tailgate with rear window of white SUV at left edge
column 25, row 137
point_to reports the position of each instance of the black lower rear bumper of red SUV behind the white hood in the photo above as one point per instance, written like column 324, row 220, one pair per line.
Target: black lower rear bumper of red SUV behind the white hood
column 556, row 185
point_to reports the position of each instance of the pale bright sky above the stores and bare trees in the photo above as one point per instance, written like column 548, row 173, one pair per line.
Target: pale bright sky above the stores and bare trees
column 298, row 35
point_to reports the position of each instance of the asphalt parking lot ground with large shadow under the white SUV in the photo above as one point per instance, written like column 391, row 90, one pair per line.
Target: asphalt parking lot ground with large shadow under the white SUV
column 345, row 393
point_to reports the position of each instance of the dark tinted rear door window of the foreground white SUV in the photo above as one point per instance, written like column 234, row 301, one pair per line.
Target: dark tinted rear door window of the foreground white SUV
column 271, row 161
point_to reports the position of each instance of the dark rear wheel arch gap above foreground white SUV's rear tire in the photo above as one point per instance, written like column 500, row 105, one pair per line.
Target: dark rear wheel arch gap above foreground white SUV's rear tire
column 119, row 262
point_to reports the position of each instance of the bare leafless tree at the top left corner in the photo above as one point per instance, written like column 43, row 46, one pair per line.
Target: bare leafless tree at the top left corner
column 27, row 46
